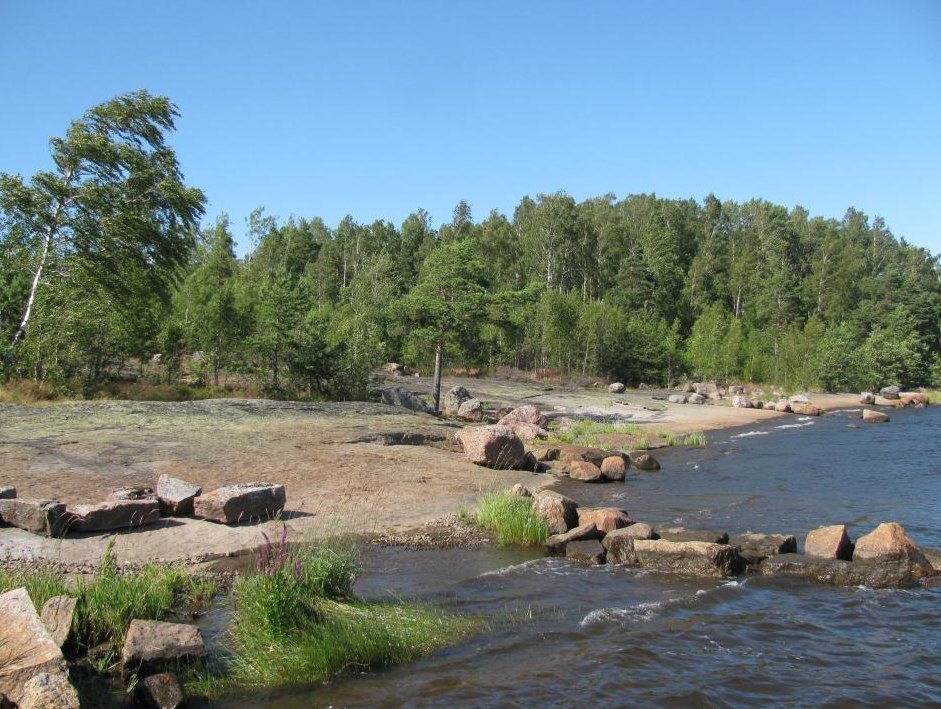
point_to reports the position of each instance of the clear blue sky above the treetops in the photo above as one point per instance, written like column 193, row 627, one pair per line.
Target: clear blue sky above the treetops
column 375, row 109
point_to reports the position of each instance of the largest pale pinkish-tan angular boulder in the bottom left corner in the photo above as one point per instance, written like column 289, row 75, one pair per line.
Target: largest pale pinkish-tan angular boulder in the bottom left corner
column 26, row 648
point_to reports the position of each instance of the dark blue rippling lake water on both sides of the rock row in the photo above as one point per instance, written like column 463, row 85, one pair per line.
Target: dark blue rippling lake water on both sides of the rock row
column 563, row 635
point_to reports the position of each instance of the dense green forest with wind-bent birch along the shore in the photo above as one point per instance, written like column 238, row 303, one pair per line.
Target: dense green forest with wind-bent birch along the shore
column 104, row 263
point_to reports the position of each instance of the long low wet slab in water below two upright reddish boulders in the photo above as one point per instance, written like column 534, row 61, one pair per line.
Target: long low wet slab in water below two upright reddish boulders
column 836, row 572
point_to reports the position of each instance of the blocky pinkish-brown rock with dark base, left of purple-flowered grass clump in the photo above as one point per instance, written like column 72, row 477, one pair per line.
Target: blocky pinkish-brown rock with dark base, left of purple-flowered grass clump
column 153, row 646
